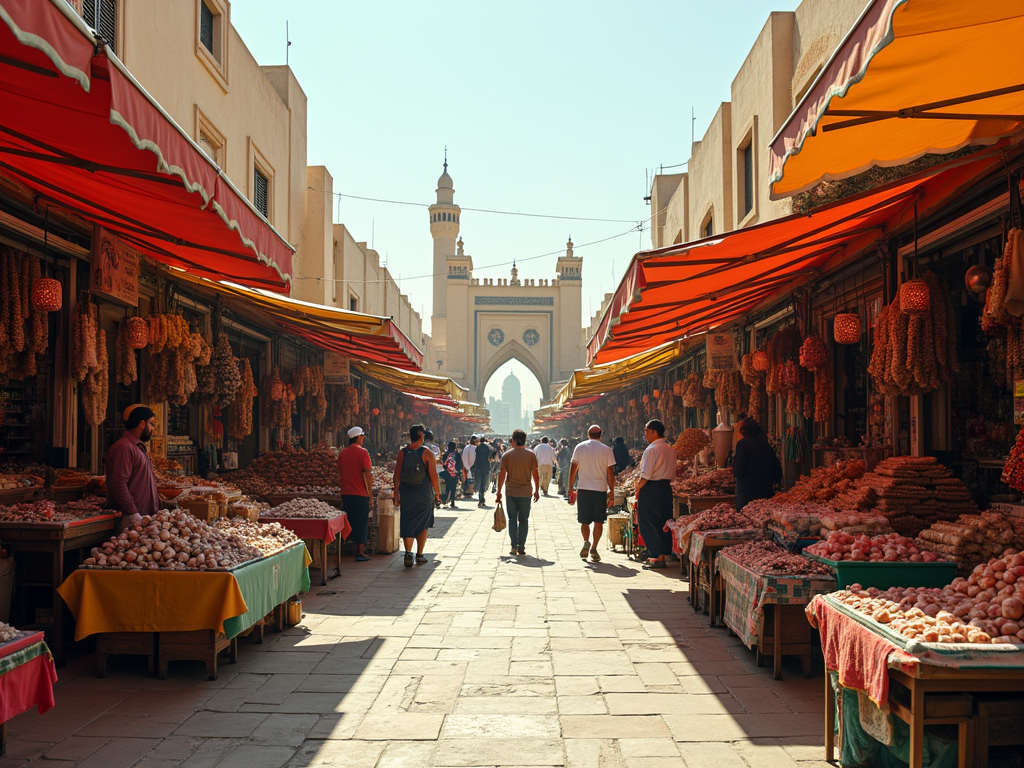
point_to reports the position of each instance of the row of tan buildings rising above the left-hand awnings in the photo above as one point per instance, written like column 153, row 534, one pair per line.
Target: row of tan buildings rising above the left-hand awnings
column 251, row 121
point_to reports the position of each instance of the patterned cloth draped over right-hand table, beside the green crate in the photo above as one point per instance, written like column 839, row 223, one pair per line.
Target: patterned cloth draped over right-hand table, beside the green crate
column 748, row 593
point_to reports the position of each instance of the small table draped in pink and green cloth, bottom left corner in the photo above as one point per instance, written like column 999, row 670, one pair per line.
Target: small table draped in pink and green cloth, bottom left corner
column 27, row 677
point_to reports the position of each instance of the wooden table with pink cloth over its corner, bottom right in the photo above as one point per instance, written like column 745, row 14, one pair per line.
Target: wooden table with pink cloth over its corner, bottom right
column 947, row 684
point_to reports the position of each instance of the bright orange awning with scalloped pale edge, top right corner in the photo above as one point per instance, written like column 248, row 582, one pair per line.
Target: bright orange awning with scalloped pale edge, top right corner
column 914, row 77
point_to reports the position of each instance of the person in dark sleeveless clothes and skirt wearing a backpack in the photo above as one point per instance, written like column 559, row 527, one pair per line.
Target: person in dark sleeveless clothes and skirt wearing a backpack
column 416, row 490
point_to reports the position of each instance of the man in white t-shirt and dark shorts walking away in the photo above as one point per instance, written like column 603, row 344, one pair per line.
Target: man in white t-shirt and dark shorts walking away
column 593, row 466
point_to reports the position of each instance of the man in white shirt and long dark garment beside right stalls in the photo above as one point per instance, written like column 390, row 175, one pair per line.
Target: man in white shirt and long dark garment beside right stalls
column 658, row 471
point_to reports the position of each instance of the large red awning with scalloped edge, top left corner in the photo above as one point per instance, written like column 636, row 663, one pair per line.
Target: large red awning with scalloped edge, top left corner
column 77, row 130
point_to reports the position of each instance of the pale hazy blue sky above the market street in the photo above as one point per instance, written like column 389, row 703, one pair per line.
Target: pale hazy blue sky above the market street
column 561, row 109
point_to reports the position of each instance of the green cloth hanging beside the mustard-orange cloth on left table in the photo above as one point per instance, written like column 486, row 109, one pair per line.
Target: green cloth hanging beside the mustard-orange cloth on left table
column 268, row 583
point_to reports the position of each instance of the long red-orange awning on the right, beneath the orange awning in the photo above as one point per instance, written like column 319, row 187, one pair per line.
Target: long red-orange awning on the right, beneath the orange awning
column 672, row 292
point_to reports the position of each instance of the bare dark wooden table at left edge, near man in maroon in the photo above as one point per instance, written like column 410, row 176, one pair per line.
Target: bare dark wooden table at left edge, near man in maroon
column 57, row 540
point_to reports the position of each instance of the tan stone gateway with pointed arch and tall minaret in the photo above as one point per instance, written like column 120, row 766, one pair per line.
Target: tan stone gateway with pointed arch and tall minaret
column 481, row 324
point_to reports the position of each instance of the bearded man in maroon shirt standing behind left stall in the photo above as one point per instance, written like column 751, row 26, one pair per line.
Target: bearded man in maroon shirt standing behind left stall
column 132, row 486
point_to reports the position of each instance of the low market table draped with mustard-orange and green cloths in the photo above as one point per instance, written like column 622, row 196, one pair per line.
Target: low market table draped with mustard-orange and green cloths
column 191, row 615
